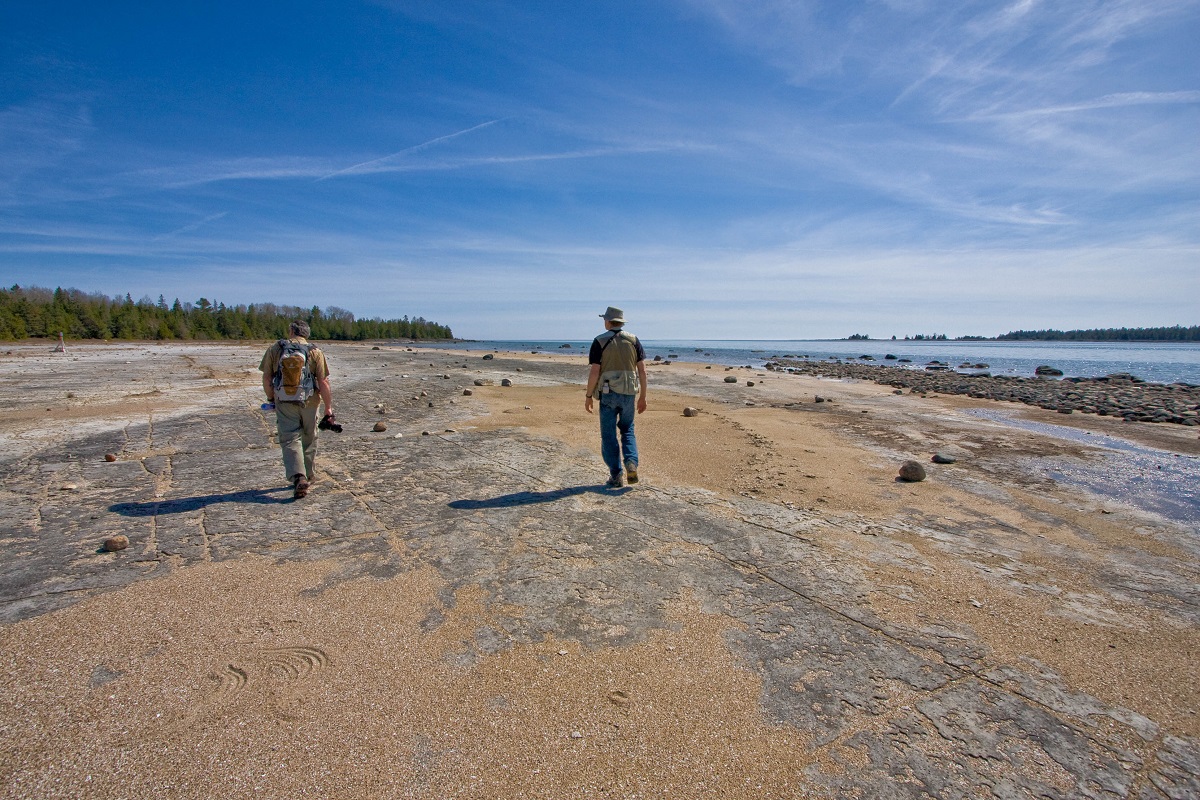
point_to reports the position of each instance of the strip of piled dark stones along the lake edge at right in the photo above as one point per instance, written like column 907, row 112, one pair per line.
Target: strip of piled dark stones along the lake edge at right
column 1119, row 395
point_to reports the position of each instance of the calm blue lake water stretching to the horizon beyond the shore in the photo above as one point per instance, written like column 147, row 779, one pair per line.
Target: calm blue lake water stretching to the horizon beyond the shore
column 1160, row 363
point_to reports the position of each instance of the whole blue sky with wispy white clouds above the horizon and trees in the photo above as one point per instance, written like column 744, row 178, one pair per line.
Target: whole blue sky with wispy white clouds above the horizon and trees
column 719, row 170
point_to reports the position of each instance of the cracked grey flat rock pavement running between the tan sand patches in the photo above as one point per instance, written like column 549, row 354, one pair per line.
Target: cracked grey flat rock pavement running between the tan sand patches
column 197, row 479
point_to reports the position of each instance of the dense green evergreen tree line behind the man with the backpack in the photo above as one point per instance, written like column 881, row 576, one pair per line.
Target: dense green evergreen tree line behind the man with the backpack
column 38, row 312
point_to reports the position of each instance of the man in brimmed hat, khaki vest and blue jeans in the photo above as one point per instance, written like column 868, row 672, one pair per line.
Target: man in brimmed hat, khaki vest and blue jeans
column 617, row 378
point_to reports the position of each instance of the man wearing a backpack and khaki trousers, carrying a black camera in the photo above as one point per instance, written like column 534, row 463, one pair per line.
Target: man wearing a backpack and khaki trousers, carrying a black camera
column 296, row 378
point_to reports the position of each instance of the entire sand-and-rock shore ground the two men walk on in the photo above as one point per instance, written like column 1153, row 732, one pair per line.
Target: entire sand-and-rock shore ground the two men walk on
column 460, row 610
